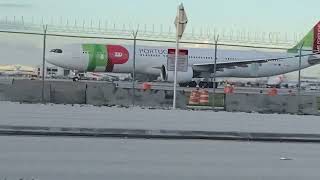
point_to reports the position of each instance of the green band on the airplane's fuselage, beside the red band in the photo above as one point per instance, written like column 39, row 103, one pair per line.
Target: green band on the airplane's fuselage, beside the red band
column 97, row 56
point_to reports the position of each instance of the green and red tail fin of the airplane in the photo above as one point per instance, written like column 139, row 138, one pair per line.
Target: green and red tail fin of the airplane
column 311, row 41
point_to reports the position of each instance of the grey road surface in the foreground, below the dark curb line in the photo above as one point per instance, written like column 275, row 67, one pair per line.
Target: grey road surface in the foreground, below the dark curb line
column 96, row 159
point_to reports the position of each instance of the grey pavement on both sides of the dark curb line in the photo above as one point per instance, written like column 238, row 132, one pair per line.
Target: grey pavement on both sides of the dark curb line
column 53, row 158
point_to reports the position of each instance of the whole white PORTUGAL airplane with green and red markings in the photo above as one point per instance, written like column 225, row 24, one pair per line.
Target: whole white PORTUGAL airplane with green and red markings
column 152, row 60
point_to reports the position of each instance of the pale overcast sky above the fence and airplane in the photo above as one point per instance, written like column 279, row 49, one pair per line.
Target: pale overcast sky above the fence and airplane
column 251, row 15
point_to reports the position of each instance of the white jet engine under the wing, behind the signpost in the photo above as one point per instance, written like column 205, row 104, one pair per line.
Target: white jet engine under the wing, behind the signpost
column 182, row 76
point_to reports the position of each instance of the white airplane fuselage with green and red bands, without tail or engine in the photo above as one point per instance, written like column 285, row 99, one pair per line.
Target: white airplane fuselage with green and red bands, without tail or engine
column 119, row 59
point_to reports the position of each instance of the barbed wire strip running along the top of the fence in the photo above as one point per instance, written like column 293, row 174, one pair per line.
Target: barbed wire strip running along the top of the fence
column 106, row 30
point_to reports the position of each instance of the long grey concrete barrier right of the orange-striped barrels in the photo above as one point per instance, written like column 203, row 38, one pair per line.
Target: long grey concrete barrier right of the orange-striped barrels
column 272, row 104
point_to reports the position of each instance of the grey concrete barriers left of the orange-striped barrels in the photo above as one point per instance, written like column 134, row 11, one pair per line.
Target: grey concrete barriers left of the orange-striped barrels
column 61, row 92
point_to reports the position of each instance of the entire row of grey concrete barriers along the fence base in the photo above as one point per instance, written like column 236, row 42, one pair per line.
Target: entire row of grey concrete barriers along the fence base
column 97, row 93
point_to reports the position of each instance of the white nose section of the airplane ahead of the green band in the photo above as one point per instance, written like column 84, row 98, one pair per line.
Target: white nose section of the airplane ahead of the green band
column 68, row 61
